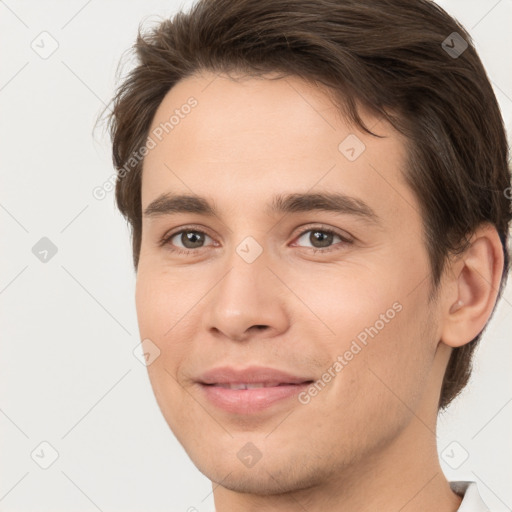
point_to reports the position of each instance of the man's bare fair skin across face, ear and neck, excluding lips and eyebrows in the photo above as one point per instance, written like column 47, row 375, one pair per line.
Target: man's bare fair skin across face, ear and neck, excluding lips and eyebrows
column 367, row 440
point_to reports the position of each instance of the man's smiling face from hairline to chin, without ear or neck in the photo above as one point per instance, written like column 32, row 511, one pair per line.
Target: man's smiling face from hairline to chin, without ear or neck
column 293, row 291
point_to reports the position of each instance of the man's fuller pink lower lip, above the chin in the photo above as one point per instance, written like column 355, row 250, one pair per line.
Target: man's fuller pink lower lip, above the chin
column 247, row 401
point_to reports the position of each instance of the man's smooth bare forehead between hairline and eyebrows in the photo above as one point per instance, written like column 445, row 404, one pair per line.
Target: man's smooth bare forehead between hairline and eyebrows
column 253, row 137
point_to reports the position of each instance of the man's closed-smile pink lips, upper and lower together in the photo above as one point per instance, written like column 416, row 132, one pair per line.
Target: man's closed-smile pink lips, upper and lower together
column 250, row 390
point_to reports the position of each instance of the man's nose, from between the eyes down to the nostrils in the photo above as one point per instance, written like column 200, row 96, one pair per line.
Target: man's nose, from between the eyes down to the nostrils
column 248, row 302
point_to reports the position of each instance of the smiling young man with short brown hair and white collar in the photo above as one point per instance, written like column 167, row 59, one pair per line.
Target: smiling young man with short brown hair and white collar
column 318, row 196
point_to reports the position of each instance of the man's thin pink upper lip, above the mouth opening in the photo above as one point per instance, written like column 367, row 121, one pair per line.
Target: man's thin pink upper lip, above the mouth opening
column 250, row 375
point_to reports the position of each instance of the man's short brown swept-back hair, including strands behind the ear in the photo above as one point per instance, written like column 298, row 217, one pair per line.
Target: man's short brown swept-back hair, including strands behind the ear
column 393, row 57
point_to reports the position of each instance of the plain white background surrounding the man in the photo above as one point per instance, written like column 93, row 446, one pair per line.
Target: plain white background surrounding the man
column 68, row 375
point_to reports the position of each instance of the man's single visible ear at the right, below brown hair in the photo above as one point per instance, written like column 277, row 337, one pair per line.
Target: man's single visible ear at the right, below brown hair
column 472, row 287
